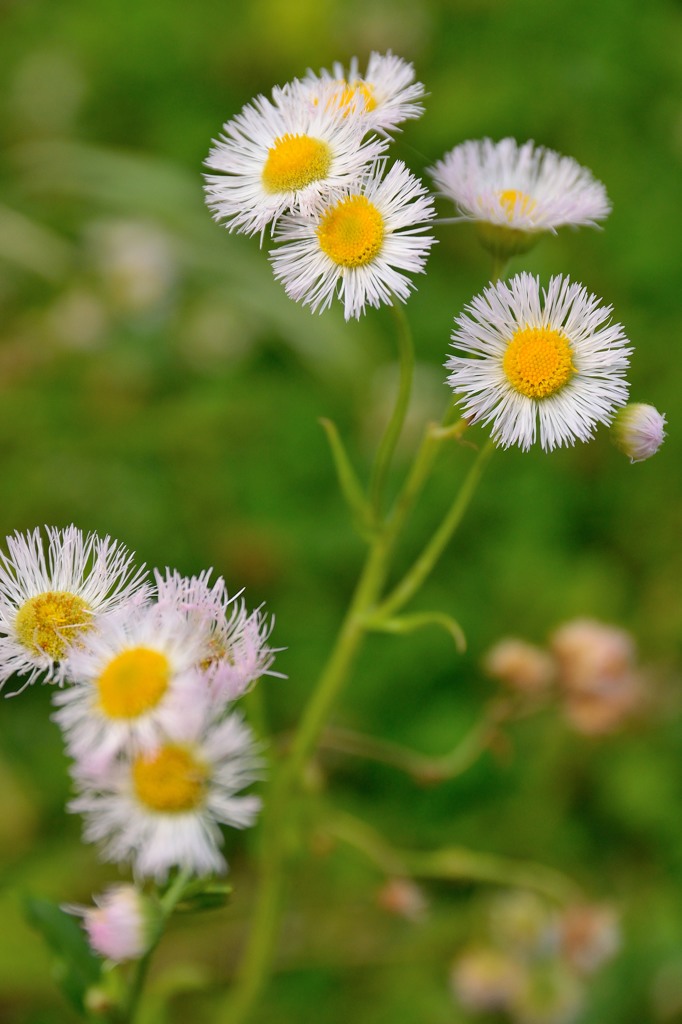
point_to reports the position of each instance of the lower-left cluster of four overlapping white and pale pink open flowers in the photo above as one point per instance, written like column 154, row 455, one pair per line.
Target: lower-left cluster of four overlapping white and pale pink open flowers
column 150, row 674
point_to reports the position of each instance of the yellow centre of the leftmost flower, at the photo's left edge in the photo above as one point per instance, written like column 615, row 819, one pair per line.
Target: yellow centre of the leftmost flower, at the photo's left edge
column 49, row 623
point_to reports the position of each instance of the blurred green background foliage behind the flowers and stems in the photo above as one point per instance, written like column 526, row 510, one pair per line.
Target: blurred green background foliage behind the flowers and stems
column 157, row 385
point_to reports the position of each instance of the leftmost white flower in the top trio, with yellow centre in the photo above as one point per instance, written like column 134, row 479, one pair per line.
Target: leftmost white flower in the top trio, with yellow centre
column 286, row 154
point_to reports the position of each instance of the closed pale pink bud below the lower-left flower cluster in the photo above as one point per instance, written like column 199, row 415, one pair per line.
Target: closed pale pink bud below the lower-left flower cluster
column 122, row 924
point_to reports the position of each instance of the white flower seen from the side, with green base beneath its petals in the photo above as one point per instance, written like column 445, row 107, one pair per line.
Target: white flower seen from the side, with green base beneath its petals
column 516, row 193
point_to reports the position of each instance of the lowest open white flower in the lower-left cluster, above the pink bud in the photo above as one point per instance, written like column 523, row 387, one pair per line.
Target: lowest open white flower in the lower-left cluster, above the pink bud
column 163, row 809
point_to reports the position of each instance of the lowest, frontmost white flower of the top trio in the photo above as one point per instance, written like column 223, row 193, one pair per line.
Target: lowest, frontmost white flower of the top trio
column 359, row 245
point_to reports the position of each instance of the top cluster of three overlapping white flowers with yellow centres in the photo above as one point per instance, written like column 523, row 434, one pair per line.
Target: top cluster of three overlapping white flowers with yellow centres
column 310, row 163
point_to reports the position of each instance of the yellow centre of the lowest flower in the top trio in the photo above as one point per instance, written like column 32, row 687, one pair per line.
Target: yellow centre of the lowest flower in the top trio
column 352, row 233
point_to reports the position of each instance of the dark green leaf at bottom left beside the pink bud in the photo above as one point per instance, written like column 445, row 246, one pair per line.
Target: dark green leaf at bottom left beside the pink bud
column 77, row 968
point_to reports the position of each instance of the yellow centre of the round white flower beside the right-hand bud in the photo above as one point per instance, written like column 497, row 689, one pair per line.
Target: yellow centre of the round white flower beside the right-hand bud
column 539, row 362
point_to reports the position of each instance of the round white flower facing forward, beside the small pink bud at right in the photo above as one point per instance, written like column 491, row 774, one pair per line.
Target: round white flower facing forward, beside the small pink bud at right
column 557, row 363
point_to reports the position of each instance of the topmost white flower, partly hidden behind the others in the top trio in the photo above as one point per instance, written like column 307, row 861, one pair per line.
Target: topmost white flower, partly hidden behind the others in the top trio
column 387, row 94
